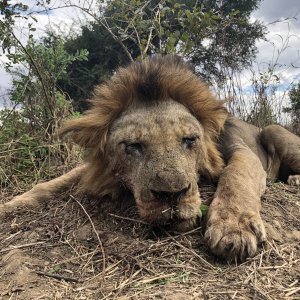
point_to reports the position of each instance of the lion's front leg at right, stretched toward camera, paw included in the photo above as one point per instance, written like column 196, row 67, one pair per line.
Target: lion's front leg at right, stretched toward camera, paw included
column 234, row 224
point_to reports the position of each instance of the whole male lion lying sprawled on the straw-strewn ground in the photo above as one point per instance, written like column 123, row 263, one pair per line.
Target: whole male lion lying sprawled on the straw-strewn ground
column 154, row 129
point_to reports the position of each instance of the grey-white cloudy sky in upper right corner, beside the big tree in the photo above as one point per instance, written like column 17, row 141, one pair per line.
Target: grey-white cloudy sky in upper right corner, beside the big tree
column 282, row 47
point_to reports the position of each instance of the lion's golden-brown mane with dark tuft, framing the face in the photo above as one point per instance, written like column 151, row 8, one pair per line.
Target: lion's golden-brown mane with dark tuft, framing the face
column 155, row 79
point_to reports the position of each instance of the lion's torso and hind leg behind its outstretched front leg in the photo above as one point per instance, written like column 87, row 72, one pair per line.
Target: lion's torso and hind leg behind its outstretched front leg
column 277, row 149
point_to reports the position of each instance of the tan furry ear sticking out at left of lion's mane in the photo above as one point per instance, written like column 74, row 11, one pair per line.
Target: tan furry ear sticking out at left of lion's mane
column 86, row 131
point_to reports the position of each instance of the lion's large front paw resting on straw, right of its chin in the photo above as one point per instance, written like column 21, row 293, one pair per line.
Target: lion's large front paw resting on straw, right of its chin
column 235, row 236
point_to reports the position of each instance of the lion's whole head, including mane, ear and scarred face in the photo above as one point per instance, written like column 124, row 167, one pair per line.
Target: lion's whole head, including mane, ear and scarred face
column 152, row 128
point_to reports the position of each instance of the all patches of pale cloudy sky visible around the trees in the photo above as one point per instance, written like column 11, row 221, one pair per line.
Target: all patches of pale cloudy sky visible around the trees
column 282, row 19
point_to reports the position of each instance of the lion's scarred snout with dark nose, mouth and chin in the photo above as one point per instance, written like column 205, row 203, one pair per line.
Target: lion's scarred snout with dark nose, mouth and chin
column 169, row 192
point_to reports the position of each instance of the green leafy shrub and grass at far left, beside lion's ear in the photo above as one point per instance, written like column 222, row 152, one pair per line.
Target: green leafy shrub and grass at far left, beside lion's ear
column 39, row 106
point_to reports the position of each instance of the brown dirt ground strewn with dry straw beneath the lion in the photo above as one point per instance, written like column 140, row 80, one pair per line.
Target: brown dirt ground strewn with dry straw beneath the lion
column 79, row 248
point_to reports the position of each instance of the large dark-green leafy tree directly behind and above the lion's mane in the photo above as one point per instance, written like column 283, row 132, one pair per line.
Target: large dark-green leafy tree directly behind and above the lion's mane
column 214, row 35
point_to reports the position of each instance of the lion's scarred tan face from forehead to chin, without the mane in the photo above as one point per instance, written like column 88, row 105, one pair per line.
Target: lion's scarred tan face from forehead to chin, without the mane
column 157, row 152
